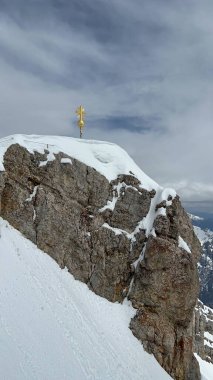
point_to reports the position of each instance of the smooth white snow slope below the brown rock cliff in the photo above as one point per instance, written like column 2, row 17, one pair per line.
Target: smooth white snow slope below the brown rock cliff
column 53, row 327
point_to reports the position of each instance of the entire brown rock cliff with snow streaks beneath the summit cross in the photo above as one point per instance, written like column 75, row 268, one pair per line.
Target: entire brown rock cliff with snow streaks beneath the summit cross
column 117, row 237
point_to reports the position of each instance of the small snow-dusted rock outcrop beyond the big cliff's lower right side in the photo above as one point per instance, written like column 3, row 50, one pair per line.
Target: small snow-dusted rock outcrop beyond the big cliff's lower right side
column 204, row 332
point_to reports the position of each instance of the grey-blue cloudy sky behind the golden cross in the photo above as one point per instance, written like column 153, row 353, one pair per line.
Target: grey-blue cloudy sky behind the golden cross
column 143, row 69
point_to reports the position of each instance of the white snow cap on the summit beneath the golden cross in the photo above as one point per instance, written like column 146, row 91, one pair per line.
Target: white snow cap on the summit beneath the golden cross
column 107, row 158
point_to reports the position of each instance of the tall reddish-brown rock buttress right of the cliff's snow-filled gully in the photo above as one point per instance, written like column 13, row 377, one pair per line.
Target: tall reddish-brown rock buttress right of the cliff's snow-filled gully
column 166, row 283
